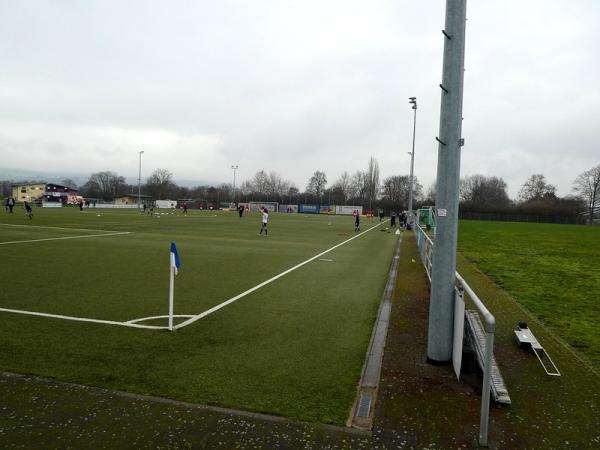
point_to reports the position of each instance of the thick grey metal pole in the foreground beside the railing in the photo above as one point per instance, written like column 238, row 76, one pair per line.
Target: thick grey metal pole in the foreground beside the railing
column 441, row 307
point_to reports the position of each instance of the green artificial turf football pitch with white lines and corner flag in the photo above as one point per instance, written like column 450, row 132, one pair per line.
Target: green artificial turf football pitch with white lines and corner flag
column 294, row 347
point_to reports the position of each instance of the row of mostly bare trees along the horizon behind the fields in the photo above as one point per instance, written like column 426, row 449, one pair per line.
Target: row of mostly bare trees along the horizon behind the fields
column 478, row 193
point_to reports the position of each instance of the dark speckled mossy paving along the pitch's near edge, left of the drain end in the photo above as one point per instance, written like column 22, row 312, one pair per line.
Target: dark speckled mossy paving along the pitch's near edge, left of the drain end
column 42, row 414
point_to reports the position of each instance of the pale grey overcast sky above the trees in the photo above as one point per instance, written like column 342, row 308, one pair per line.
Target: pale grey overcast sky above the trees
column 294, row 87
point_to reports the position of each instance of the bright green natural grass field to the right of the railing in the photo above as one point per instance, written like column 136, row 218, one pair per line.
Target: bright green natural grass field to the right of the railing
column 552, row 270
